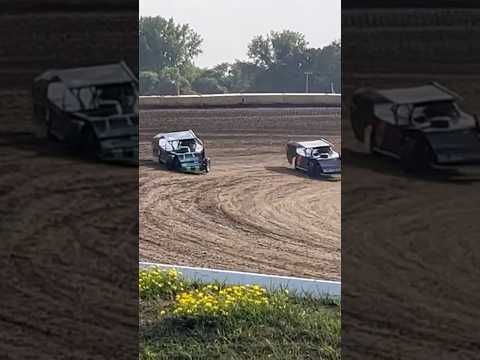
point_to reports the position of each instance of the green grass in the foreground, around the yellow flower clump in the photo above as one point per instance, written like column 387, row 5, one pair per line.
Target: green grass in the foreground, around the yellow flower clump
column 290, row 328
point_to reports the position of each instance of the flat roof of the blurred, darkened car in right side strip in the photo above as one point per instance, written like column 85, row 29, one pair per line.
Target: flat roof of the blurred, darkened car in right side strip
column 416, row 95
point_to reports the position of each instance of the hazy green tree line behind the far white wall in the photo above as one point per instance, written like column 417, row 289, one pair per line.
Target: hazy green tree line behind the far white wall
column 279, row 61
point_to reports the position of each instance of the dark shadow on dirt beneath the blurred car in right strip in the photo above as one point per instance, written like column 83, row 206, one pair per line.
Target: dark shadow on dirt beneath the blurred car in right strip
column 388, row 166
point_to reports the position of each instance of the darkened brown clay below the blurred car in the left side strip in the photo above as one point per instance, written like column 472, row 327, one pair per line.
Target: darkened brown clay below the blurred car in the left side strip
column 69, row 249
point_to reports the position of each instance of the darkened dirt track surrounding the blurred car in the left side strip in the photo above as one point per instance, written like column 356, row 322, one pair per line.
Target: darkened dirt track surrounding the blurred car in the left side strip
column 69, row 229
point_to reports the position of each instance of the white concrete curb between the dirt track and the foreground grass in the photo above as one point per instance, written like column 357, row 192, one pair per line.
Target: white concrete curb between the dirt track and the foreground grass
column 313, row 287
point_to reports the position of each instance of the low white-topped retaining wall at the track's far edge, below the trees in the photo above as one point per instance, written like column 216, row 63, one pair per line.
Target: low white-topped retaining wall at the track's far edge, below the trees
column 231, row 100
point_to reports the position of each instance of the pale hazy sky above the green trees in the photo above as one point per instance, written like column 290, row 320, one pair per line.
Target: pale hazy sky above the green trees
column 227, row 26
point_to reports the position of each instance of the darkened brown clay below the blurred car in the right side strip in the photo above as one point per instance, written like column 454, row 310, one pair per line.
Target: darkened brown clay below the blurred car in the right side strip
column 409, row 258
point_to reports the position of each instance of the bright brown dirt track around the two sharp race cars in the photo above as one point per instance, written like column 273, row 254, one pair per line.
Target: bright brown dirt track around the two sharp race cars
column 252, row 212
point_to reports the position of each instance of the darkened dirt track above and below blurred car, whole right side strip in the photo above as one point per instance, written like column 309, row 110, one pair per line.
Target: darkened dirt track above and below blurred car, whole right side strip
column 410, row 271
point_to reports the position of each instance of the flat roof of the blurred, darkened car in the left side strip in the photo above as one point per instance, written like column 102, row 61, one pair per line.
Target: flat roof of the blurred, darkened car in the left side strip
column 92, row 75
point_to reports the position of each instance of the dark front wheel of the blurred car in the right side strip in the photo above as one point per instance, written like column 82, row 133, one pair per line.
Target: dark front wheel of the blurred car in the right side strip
column 415, row 155
